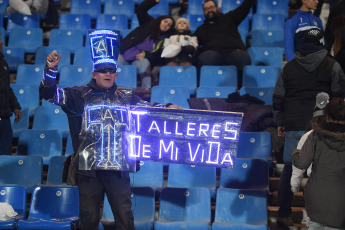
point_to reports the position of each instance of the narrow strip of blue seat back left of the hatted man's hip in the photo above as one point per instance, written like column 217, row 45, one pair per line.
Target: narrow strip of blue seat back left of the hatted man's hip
column 55, row 167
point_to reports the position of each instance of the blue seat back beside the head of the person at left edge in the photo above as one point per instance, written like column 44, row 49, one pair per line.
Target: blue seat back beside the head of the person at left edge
column 14, row 56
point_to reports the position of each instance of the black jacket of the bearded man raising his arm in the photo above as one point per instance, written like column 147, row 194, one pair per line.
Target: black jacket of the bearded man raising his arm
column 223, row 34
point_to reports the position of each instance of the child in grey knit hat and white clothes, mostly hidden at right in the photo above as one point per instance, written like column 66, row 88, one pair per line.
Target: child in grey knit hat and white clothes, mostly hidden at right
column 322, row 99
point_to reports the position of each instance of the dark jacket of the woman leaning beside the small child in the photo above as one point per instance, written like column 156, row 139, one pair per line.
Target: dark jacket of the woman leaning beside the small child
column 142, row 32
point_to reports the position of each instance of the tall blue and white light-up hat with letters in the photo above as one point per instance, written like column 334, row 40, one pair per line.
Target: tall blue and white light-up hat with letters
column 105, row 48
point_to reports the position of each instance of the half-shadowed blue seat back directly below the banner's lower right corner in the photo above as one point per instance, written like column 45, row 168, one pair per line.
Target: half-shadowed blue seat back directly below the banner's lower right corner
column 246, row 174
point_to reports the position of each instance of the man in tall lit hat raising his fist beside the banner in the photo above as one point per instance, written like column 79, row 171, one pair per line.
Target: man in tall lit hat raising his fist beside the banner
column 100, row 94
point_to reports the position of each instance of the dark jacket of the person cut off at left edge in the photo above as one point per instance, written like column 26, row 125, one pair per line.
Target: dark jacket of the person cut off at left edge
column 8, row 101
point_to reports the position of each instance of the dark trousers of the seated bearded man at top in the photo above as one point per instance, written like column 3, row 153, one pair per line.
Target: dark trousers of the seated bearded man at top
column 238, row 58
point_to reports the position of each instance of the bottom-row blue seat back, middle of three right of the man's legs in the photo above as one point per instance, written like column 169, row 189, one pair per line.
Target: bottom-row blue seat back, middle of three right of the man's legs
column 185, row 204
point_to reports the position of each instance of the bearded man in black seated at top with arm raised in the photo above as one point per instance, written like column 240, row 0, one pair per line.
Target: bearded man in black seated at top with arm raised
column 220, row 42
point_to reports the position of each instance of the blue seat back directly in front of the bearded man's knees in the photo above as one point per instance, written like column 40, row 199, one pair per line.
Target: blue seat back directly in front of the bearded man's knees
column 221, row 76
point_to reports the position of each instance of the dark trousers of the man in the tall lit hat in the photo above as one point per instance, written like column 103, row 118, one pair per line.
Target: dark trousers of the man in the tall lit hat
column 91, row 196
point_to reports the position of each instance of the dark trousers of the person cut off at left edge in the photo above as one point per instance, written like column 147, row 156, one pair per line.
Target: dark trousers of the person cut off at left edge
column 6, row 134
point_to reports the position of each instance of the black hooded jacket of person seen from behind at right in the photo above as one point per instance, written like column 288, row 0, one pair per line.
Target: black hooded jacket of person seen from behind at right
column 298, row 84
